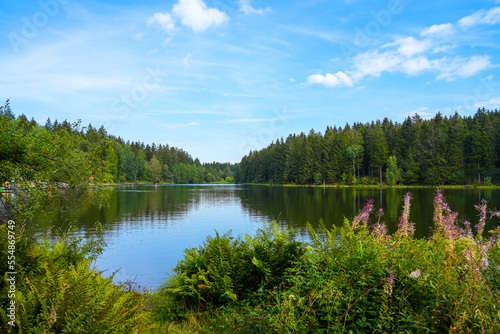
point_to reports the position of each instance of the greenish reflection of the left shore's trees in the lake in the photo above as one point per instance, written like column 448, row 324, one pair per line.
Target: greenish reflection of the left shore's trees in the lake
column 142, row 205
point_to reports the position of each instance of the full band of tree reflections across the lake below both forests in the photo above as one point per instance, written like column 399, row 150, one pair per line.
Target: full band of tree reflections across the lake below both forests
column 141, row 206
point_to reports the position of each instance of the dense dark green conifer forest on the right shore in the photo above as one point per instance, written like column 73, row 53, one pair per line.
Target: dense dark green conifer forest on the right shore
column 440, row 150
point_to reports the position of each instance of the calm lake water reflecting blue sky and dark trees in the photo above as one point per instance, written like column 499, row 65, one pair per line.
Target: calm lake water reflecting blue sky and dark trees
column 149, row 228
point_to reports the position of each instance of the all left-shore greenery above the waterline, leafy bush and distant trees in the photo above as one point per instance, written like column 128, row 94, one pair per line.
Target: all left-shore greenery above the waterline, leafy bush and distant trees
column 26, row 147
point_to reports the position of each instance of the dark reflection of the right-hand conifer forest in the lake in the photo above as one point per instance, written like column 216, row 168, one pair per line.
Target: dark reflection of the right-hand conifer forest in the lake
column 298, row 205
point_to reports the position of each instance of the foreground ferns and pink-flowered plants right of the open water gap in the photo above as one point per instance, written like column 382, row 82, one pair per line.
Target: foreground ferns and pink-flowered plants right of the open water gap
column 349, row 279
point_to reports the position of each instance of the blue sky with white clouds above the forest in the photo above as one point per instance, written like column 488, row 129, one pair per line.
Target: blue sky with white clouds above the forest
column 219, row 78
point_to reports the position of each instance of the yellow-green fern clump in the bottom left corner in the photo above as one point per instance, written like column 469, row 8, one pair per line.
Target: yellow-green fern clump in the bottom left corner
column 57, row 291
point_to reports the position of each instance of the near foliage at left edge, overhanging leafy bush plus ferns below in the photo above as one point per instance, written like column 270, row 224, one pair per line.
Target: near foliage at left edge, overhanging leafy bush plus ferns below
column 56, row 288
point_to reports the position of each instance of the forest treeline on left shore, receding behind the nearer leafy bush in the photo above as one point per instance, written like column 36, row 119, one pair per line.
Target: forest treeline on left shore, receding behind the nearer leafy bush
column 126, row 161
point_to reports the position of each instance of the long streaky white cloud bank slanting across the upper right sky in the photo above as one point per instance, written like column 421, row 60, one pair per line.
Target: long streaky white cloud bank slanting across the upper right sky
column 413, row 55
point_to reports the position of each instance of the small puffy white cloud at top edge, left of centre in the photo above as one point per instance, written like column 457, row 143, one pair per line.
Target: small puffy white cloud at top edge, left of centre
column 196, row 15
